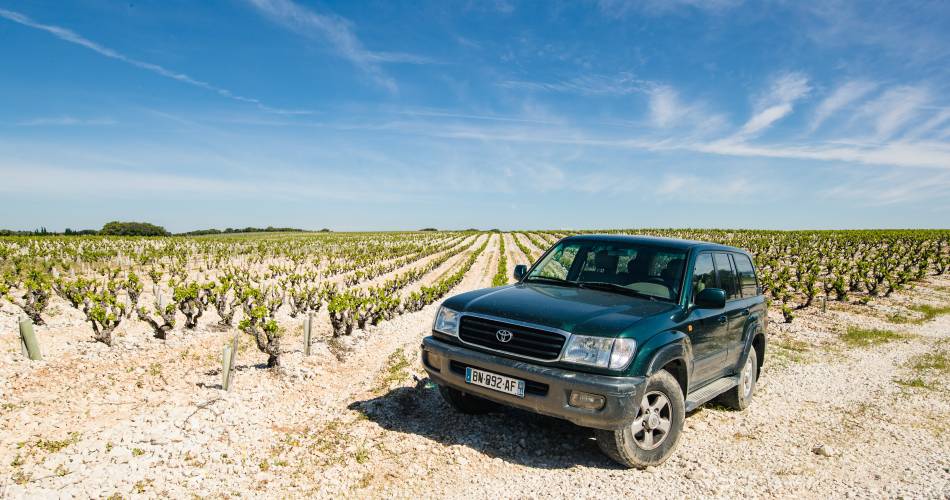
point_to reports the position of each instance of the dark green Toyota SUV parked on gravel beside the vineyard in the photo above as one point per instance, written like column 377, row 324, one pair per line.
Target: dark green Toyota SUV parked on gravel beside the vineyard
column 622, row 334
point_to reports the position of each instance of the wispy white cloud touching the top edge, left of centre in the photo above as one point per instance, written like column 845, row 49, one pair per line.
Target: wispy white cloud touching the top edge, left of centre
column 339, row 33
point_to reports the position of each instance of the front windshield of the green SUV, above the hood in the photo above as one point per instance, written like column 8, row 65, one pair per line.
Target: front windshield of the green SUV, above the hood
column 656, row 272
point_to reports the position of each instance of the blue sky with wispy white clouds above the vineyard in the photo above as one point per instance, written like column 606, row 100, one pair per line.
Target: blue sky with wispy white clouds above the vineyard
column 454, row 114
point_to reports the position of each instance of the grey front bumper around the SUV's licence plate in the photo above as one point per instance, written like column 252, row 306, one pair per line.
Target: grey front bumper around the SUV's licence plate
column 622, row 394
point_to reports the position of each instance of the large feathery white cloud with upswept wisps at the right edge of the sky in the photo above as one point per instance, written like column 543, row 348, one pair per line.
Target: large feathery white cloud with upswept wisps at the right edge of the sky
column 870, row 133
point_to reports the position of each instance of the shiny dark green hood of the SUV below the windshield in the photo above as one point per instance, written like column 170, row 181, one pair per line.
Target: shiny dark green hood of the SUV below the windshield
column 576, row 310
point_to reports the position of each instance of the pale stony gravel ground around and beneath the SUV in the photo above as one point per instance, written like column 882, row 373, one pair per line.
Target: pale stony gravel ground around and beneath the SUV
column 148, row 419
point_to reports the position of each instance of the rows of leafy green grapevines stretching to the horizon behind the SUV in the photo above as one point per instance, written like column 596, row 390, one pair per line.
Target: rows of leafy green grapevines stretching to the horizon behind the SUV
column 161, row 281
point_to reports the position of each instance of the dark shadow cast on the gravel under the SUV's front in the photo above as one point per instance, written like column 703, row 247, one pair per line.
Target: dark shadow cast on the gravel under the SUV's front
column 509, row 434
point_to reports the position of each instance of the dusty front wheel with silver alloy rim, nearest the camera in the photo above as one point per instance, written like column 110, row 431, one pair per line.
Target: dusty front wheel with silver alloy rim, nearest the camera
column 652, row 436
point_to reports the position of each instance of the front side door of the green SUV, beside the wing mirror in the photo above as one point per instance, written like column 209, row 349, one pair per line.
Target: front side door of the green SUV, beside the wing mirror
column 707, row 328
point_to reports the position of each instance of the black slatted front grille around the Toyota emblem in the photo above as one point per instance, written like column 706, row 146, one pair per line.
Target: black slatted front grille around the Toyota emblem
column 533, row 342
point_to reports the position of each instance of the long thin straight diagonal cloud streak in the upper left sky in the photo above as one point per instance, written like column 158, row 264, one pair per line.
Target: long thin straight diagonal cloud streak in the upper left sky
column 73, row 37
